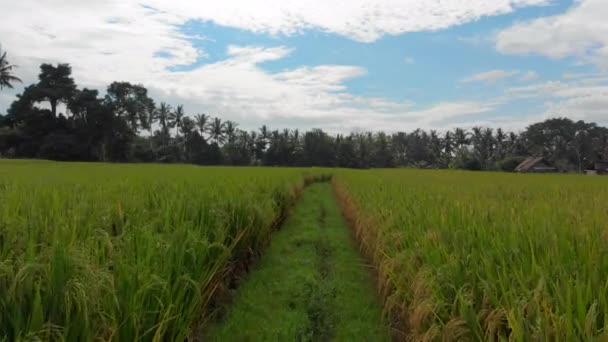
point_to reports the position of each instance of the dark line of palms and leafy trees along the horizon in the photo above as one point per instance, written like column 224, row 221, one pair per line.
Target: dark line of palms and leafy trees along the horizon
column 55, row 119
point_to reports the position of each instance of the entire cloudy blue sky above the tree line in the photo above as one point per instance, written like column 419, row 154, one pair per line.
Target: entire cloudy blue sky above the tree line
column 341, row 65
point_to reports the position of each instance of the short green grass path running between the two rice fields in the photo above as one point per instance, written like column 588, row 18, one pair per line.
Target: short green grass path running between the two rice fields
column 310, row 285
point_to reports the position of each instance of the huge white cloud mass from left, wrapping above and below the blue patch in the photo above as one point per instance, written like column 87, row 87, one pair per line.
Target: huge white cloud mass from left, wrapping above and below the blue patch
column 139, row 40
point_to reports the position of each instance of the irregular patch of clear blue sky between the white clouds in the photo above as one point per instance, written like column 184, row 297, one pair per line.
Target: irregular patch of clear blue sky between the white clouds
column 407, row 65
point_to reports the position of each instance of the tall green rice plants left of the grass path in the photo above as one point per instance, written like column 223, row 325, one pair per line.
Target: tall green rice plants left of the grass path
column 126, row 252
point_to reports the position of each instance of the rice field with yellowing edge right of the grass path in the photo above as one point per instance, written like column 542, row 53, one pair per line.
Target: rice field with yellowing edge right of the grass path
column 485, row 256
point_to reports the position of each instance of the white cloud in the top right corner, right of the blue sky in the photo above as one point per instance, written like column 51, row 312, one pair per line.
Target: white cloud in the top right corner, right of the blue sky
column 580, row 32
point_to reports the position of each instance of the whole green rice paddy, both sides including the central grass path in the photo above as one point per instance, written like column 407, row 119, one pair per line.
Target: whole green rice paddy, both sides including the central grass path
column 159, row 252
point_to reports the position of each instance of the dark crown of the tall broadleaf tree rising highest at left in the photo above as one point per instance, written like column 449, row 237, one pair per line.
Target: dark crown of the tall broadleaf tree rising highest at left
column 55, row 85
